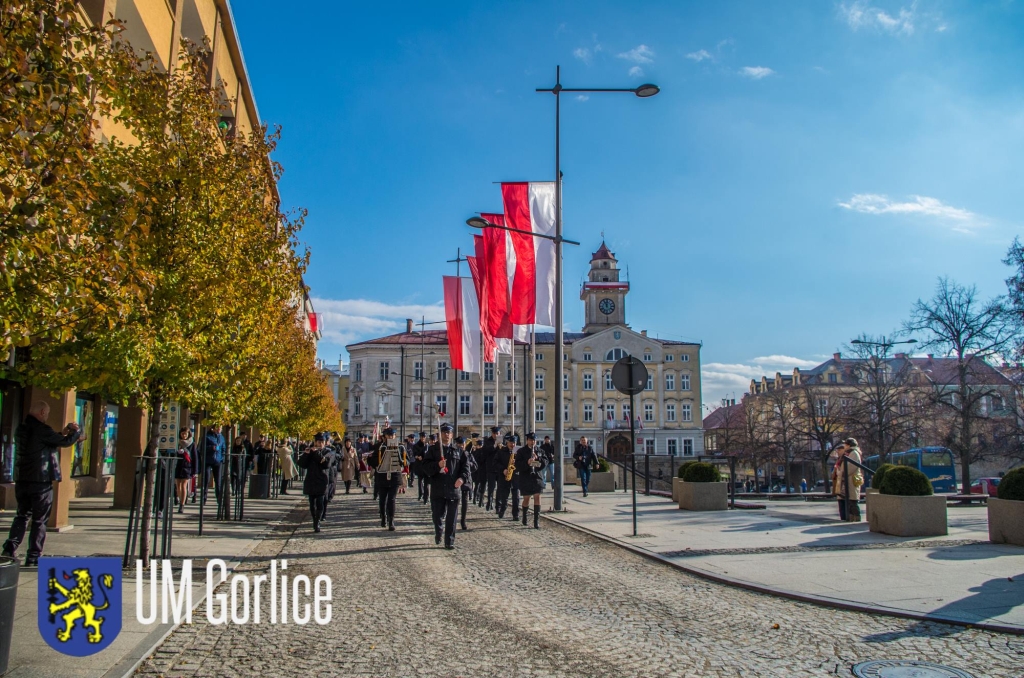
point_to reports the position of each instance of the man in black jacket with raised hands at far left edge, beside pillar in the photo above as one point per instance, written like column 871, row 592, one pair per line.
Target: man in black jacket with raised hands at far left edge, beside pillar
column 38, row 468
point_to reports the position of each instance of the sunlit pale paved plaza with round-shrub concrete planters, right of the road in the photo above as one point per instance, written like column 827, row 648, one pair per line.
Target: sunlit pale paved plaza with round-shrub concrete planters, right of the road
column 802, row 548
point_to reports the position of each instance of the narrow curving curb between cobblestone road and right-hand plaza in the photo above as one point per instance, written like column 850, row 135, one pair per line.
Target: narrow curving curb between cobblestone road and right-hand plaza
column 784, row 594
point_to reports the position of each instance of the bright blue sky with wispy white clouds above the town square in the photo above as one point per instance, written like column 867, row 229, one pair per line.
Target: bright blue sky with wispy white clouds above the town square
column 807, row 173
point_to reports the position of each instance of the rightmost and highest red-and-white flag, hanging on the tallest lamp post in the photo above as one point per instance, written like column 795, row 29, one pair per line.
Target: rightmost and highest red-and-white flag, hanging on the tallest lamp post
column 530, row 207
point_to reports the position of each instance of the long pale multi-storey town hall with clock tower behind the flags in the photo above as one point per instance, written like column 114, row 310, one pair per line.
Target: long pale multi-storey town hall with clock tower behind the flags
column 393, row 377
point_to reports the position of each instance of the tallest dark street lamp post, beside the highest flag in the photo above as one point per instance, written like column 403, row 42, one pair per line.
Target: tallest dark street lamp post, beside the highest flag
column 644, row 92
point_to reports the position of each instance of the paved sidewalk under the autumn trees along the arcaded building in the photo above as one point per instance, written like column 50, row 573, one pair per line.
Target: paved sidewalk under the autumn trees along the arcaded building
column 100, row 531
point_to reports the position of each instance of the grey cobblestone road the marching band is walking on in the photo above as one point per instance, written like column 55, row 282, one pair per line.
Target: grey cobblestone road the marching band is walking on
column 516, row 602
